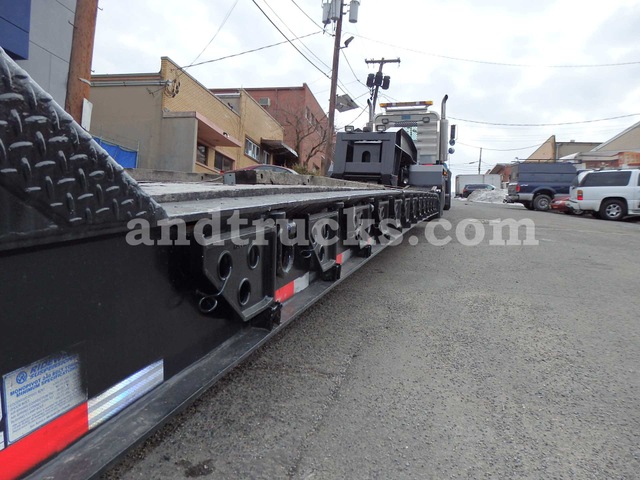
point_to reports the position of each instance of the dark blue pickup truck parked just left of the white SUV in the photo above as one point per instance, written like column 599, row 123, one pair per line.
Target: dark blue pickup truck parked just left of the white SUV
column 536, row 184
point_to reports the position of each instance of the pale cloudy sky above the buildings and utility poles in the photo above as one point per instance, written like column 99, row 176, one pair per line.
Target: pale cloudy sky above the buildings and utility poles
column 562, row 66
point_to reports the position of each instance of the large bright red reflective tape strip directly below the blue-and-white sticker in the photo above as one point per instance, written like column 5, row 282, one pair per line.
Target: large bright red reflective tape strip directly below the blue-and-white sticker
column 48, row 440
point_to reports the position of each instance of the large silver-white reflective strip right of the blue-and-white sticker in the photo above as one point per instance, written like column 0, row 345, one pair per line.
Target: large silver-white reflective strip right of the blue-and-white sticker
column 124, row 393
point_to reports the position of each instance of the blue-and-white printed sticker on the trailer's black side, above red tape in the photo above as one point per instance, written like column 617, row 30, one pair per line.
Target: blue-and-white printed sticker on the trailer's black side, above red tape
column 36, row 394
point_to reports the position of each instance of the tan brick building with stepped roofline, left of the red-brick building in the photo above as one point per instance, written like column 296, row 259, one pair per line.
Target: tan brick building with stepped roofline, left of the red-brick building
column 177, row 124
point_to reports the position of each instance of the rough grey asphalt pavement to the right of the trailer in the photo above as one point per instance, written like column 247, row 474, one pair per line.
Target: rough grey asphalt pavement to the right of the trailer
column 439, row 361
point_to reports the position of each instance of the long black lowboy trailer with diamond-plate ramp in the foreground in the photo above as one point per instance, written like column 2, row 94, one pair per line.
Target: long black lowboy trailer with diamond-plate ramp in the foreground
column 122, row 301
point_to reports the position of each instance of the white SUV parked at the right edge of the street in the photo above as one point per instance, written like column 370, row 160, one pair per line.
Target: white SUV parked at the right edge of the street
column 608, row 194
